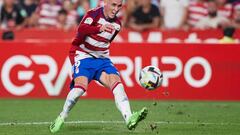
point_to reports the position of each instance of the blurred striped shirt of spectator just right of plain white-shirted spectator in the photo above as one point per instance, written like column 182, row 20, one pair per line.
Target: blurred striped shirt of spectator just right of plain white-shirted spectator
column 196, row 11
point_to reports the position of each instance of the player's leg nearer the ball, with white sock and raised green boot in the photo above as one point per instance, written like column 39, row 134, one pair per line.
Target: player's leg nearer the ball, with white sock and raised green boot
column 113, row 82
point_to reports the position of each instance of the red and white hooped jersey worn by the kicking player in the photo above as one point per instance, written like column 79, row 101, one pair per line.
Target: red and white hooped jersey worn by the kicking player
column 89, row 39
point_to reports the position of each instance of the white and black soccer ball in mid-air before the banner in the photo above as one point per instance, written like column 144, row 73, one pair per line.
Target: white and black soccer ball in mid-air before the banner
column 150, row 77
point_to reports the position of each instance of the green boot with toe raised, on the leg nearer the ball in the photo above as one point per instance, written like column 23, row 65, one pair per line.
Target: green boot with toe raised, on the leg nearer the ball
column 137, row 117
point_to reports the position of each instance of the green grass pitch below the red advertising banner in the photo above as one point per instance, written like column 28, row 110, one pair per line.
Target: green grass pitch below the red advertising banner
column 101, row 117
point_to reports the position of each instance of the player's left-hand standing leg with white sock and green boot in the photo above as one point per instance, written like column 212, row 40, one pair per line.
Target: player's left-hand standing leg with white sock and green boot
column 72, row 98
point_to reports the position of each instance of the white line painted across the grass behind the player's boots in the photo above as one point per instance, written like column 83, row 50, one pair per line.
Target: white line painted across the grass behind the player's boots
column 117, row 122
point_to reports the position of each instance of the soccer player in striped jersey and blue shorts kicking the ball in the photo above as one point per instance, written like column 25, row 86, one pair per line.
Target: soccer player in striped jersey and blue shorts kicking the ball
column 89, row 56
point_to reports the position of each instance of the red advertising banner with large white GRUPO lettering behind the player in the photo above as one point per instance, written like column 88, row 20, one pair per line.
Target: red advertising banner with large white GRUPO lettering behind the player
column 191, row 72
